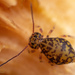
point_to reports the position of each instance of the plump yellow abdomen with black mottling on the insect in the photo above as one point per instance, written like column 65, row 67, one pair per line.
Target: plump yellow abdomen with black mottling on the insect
column 57, row 50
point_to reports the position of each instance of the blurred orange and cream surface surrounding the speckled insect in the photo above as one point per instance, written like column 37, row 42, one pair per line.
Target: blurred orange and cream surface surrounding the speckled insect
column 16, row 28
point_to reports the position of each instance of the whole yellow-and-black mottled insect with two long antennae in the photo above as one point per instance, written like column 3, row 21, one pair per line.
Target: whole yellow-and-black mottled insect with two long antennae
column 58, row 50
